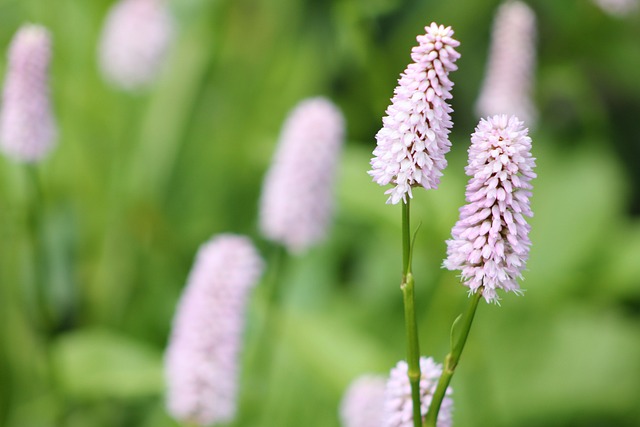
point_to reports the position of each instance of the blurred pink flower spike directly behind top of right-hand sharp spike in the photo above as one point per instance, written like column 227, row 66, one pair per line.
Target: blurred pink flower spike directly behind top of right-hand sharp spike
column 510, row 70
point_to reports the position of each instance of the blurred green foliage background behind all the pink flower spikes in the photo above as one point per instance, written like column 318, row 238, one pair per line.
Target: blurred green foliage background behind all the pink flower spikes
column 138, row 181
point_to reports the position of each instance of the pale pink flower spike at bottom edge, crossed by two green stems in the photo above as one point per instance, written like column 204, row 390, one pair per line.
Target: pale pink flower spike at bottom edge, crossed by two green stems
column 398, row 406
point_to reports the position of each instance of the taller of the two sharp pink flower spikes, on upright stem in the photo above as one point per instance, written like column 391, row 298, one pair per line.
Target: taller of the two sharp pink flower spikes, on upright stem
column 415, row 134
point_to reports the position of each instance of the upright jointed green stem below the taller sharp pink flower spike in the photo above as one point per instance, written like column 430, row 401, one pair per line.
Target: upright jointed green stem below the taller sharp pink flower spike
column 411, row 324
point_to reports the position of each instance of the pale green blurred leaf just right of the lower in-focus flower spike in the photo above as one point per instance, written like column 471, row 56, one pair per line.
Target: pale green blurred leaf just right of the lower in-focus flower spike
column 574, row 198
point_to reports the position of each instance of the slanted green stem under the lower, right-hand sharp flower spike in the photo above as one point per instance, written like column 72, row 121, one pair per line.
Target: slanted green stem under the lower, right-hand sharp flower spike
column 452, row 360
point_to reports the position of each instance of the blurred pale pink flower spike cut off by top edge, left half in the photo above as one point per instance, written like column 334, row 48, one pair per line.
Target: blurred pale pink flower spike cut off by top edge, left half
column 134, row 42
